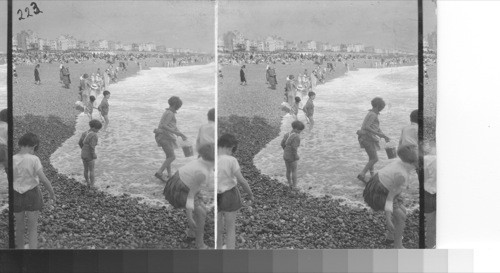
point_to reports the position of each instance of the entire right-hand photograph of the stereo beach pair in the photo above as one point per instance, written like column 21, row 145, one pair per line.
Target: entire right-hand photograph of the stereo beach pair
column 318, row 124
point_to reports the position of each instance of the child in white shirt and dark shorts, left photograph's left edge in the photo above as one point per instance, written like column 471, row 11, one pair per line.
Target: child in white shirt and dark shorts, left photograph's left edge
column 28, row 201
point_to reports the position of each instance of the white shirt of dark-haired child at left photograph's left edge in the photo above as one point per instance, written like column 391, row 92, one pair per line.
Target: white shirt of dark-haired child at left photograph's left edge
column 26, row 167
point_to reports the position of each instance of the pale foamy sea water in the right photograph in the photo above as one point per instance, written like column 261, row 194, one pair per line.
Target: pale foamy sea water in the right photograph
column 330, row 155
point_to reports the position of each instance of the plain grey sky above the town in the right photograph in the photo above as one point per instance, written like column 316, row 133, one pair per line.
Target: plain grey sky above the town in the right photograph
column 383, row 24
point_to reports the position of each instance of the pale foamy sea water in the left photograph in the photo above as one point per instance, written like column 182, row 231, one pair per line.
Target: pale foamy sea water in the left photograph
column 127, row 153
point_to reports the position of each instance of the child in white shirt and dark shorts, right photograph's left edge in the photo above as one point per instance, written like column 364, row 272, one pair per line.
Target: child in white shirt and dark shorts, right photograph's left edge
column 228, row 195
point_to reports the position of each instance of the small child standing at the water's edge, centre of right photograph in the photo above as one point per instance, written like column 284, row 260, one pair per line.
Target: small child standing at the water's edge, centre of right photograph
column 290, row 144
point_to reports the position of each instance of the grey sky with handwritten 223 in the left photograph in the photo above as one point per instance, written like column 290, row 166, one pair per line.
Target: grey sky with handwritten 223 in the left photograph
column 182, row 24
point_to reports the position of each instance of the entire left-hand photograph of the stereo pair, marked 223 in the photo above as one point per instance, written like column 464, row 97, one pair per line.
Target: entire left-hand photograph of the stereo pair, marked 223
column 114, row 109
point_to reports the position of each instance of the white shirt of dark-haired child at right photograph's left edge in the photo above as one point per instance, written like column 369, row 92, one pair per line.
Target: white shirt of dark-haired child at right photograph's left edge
column 226, row 175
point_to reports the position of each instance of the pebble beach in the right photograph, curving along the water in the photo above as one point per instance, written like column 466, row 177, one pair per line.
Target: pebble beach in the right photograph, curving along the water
column 287, row 219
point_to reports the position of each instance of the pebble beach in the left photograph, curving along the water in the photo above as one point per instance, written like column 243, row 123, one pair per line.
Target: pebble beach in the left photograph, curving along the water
column 85, row 219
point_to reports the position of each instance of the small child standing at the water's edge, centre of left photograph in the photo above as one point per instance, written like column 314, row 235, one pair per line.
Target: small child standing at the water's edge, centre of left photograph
column 87, row 143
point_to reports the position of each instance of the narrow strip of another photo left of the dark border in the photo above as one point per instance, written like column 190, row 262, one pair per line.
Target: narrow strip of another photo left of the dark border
column 4, row 186
